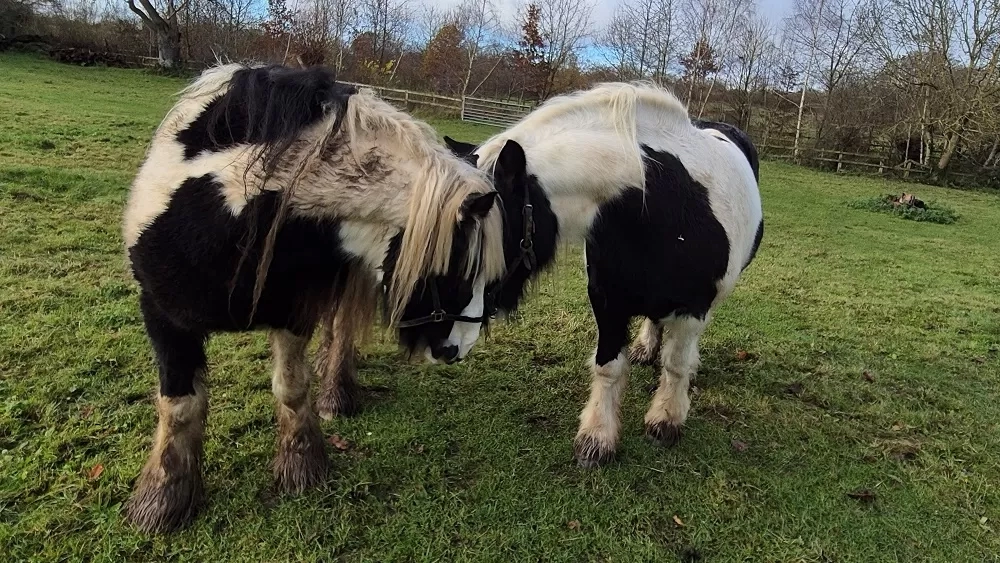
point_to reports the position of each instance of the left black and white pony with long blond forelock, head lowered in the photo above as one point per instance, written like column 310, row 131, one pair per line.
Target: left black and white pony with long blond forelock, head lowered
column 269, row 198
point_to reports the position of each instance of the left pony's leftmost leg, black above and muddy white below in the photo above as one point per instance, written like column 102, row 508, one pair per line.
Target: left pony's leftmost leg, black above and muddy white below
column 169, row 490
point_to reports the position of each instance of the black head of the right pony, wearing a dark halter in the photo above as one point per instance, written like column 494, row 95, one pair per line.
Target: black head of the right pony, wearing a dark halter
column 530, row 227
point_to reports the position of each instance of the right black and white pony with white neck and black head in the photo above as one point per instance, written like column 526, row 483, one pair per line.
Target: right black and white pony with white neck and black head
column 670, row 213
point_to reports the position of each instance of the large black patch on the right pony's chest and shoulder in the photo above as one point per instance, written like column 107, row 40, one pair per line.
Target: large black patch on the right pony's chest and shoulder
column 654, row 254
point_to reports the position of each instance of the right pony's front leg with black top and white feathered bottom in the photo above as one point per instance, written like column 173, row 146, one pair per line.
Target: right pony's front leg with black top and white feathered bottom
column 597, row 438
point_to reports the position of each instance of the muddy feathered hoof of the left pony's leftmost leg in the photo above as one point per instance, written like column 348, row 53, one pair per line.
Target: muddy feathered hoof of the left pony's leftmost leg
column 162, row 502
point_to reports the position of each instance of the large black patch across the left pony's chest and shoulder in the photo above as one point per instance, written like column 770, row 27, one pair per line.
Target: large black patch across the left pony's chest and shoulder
column 188, row 263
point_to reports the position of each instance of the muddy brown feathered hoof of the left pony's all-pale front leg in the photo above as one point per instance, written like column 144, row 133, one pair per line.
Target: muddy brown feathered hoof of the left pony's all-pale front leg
column 301, row 462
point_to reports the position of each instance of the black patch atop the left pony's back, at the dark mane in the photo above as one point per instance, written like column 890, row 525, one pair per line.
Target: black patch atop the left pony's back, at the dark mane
column 267, row 107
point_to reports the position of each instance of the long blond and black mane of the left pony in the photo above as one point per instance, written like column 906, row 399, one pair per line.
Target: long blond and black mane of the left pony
column 290, row 119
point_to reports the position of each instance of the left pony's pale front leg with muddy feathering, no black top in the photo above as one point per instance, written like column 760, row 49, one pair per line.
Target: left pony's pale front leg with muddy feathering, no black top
column 300, row 461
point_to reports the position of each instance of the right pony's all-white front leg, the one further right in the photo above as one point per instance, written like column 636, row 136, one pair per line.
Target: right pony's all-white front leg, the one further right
column 678, row 364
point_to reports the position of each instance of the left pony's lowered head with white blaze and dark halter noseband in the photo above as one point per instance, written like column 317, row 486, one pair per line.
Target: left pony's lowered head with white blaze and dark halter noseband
column 443, row 316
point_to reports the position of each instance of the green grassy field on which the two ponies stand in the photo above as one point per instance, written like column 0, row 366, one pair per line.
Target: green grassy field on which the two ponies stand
column 862, row 424
